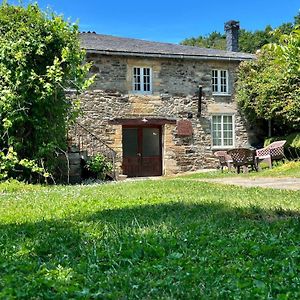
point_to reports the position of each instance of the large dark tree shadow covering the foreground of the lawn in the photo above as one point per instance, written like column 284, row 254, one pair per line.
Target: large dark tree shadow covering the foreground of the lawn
column 173, row 250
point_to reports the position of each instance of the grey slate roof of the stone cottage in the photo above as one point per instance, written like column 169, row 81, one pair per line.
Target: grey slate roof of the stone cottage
column 108, row 44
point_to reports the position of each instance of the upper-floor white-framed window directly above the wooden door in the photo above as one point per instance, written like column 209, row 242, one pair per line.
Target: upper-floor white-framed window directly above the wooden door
column 142, row 80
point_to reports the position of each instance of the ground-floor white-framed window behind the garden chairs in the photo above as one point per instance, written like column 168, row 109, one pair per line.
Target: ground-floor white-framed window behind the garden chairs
column 223, row 131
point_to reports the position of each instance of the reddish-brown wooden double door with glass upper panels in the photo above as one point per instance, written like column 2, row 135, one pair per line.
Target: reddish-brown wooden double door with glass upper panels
column 142, row 151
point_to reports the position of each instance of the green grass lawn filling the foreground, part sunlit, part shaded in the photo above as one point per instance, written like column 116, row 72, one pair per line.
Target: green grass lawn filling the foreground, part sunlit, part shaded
column 164, row 239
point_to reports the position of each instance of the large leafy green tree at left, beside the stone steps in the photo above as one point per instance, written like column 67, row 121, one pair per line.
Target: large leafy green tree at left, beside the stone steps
column 40, row 57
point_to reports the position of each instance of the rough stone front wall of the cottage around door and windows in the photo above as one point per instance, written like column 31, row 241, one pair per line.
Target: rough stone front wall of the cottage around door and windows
column 175, row 95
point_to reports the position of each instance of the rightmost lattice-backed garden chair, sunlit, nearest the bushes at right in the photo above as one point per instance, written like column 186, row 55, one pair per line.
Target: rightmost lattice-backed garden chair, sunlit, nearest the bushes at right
column 273, row 152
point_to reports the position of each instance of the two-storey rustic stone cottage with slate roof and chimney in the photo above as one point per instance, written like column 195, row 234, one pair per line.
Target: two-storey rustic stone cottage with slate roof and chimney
column 163, row 108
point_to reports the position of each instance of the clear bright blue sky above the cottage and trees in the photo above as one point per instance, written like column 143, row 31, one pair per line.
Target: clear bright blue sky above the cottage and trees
column 171, row 21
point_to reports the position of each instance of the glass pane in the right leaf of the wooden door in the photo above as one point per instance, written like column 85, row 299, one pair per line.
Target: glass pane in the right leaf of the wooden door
column 151, row 142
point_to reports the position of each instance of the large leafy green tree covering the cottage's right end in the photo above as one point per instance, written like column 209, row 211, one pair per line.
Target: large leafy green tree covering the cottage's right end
column 269, row 88
